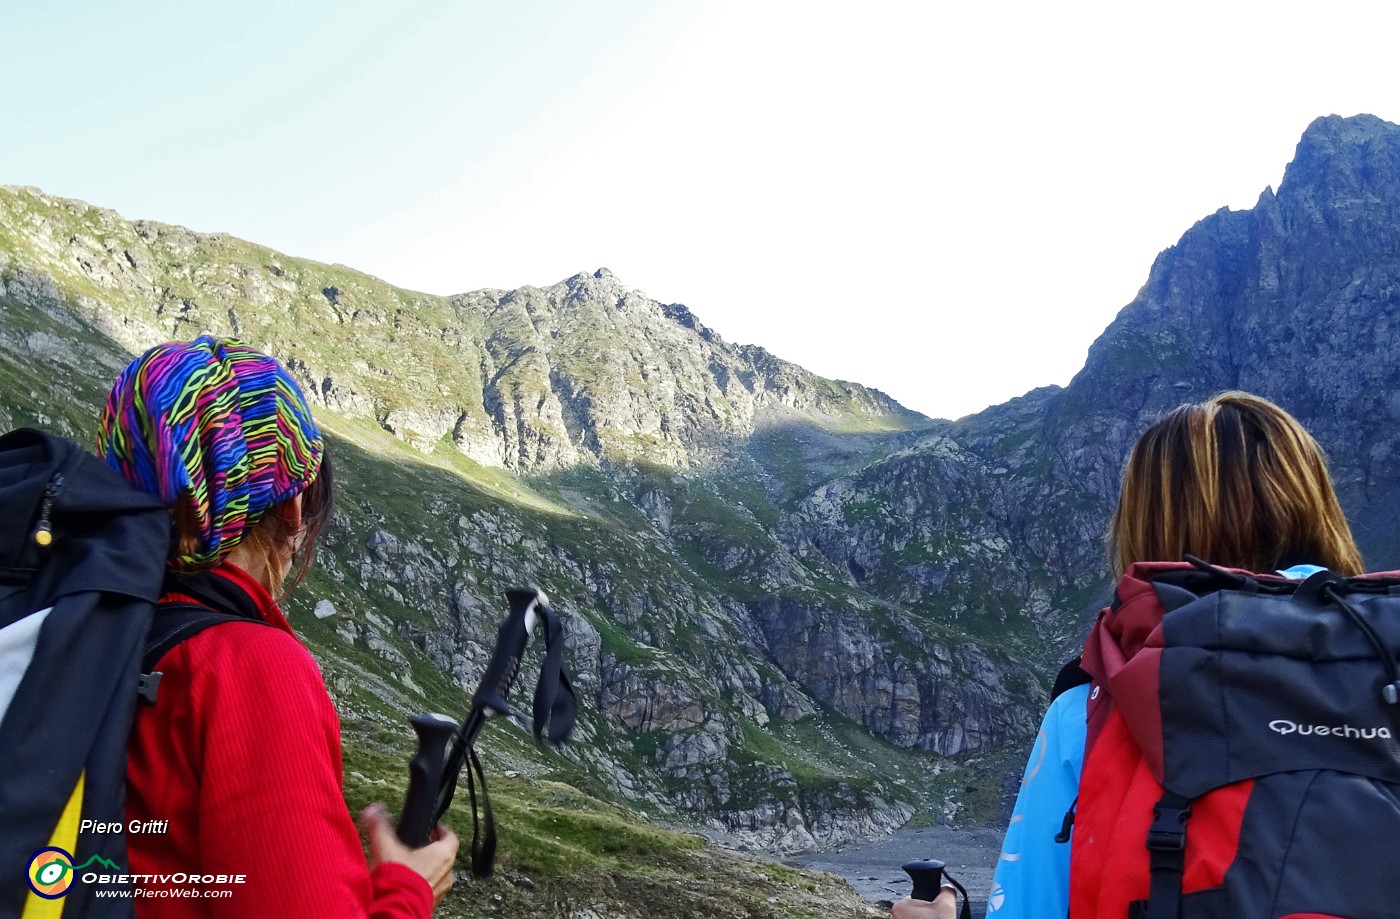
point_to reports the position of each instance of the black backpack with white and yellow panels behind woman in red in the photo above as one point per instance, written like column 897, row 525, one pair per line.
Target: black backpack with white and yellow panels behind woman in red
column 82, row 565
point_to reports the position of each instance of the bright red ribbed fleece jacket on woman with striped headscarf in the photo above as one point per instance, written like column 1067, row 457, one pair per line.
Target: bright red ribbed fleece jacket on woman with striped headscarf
column 236, row 771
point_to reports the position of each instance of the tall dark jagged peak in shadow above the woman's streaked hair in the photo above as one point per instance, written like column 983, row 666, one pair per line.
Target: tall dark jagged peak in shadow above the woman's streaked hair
column 1296, row 300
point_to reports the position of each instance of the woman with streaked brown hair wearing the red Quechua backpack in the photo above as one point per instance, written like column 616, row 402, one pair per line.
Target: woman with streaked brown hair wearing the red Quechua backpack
column 1196, row 679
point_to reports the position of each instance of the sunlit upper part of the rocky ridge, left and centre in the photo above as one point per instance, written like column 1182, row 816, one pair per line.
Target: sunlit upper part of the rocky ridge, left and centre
column 579, row 373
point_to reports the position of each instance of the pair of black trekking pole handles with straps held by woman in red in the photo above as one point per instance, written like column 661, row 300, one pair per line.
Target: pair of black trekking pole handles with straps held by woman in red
column 433, row 777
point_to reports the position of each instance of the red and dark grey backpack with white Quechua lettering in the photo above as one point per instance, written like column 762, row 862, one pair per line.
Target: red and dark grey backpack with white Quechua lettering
column 1244, row 749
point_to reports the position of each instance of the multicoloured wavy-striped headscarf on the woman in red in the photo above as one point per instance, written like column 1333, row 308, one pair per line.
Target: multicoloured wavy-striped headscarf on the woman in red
column 219, row 422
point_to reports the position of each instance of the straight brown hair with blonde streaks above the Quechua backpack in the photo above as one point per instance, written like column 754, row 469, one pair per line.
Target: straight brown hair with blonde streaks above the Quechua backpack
column 1235, row 481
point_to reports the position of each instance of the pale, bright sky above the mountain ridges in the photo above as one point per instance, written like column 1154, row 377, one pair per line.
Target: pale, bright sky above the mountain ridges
column 947, row 202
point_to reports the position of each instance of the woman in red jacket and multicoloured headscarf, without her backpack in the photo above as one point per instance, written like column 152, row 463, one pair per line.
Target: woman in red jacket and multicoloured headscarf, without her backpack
column 236, row 774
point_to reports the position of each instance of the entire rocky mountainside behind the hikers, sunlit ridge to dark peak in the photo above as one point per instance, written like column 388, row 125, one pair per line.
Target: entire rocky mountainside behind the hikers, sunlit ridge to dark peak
column 792, row 602
